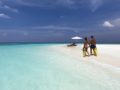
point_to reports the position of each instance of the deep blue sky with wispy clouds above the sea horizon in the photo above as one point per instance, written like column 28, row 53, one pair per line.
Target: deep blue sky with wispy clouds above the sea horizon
column 59, row 20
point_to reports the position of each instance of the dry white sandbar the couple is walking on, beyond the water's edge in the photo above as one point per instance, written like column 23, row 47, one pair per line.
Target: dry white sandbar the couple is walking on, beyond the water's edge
column 107, row 54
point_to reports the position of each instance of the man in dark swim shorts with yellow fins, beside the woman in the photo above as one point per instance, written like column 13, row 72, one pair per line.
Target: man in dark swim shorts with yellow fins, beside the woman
column 93, row 46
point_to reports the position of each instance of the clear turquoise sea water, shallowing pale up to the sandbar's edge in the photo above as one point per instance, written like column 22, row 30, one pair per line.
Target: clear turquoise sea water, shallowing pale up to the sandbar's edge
column 40, row 67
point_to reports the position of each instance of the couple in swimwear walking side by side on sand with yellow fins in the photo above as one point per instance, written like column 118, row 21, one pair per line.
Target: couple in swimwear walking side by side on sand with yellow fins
column 91, row 44
